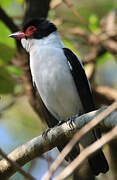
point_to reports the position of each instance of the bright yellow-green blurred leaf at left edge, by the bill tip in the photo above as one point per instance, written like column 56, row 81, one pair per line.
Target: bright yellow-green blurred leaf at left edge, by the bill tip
column 4, row 31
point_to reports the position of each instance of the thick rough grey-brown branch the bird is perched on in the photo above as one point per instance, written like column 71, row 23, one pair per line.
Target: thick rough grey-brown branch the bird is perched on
column 57, row 135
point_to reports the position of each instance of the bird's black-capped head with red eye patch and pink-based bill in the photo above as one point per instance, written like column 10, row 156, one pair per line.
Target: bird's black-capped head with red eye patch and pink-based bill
column 35, row 29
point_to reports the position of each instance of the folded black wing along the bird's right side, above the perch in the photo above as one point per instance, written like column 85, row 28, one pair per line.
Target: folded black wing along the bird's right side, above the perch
column 81, row 80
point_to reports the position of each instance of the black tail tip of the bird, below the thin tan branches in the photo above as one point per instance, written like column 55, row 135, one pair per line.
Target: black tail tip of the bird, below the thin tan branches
column 98, row 163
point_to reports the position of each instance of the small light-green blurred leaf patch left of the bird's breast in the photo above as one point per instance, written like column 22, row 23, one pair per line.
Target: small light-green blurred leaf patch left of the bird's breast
column 13, row 70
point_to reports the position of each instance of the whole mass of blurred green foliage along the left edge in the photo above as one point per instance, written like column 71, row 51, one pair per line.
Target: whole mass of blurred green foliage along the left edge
column 7, row 52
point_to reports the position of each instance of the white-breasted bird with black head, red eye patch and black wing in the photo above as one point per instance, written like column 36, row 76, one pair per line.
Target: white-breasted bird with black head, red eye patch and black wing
column 61, row 81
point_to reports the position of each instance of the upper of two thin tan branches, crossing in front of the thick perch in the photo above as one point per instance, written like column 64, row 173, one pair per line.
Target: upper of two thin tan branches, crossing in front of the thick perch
column 77, row 137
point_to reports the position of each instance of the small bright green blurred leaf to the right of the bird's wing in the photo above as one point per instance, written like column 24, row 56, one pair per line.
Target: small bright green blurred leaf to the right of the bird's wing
column 104, row 58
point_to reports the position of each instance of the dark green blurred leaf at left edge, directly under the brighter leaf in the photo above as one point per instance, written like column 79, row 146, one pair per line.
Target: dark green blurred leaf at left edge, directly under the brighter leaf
column 6, row 53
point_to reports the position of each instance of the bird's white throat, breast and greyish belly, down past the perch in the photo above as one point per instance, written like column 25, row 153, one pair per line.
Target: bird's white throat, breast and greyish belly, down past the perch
column 51, row 74
